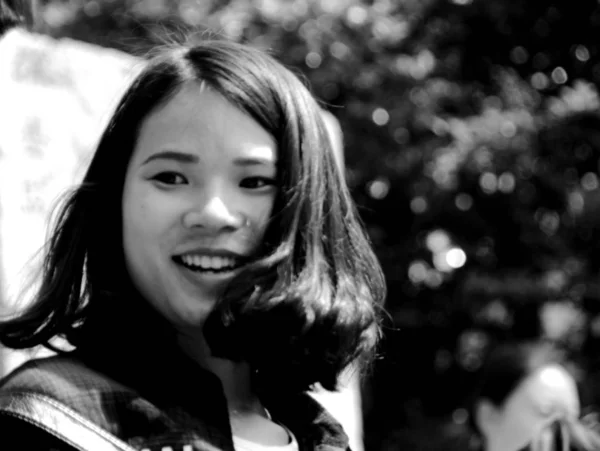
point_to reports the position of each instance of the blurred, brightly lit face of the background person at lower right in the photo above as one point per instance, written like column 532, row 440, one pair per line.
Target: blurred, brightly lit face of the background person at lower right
column 546, row 395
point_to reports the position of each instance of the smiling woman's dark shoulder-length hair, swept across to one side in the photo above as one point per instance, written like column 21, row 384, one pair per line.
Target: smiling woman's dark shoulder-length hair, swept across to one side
column 306, row 308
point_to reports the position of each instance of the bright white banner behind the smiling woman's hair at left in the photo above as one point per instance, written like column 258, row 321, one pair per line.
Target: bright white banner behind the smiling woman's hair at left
column 55, row 99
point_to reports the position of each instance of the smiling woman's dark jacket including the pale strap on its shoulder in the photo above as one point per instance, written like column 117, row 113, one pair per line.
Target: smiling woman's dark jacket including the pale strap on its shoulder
column 64, row 403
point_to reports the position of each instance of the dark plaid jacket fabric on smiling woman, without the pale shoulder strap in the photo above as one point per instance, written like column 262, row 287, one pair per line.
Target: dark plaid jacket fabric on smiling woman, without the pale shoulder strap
column 180, row 408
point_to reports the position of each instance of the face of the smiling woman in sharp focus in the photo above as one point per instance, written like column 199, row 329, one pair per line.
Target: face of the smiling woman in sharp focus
column 197, row 198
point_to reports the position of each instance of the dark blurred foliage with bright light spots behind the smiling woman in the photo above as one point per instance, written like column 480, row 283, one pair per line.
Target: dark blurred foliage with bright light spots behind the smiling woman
column 472, row 140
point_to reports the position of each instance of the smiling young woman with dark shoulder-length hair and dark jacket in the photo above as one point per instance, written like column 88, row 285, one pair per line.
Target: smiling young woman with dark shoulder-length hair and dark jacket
column 208, row 271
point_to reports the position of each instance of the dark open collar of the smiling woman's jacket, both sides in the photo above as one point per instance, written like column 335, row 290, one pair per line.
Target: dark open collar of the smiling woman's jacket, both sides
column 170, row 379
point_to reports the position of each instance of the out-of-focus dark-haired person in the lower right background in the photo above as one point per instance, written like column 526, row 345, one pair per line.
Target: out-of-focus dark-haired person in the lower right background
column 526, row 399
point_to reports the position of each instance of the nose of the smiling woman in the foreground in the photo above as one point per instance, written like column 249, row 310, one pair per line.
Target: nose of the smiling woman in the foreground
column 214, row 215
